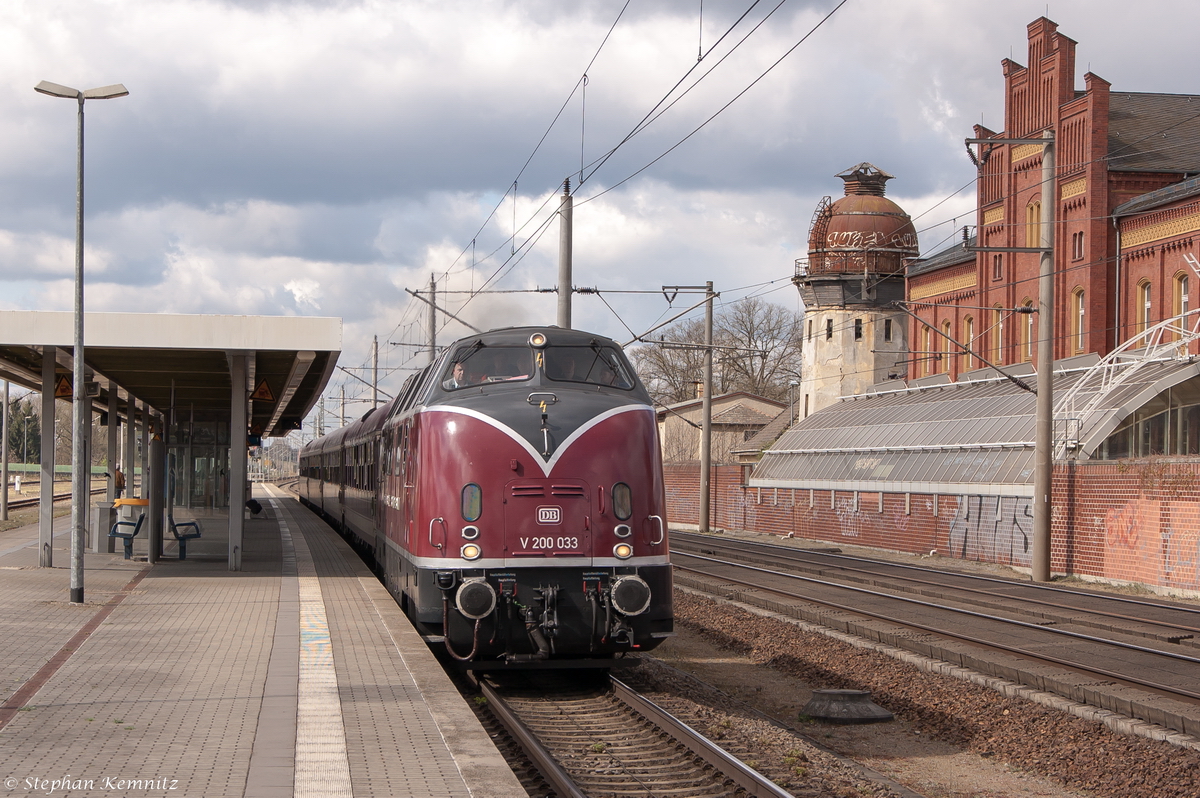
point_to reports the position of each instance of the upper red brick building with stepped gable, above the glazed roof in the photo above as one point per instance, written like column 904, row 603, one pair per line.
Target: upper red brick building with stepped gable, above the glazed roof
column 1126, row 215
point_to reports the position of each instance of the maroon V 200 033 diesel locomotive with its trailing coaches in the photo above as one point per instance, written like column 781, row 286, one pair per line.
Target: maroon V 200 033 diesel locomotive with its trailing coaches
column 512, row 497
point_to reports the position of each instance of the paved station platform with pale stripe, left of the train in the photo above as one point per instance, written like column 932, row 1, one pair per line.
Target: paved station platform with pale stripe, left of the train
column 297, row 676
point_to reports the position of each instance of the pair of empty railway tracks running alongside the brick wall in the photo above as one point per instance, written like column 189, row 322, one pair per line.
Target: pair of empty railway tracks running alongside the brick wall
column 1132, row 656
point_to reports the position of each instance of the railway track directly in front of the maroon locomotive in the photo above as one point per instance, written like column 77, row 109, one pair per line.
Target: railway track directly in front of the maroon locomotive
column 591, row 735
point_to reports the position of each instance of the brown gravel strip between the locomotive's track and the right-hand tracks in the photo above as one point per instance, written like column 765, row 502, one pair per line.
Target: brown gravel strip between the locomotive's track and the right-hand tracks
column 1079, row 757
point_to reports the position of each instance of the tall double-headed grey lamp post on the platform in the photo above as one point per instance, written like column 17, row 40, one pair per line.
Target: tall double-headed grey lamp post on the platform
column 81, row 416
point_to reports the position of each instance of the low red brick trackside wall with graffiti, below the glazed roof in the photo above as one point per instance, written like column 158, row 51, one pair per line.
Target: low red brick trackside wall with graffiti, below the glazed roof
column 1136, row 521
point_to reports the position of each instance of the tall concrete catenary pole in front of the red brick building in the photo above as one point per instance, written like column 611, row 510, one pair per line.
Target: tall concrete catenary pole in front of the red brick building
column 1043, row 446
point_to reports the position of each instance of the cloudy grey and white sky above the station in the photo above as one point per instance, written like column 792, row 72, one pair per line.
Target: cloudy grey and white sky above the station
column 321, row 158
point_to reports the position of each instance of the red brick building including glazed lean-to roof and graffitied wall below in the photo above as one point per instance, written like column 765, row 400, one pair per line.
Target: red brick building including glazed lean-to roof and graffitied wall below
column 944, row 461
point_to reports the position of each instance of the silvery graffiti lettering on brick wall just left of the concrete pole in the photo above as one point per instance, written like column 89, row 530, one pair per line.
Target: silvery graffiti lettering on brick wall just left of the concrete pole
column 993, row 529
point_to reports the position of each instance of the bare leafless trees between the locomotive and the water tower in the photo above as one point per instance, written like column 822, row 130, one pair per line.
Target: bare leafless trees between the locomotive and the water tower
column 763, row 355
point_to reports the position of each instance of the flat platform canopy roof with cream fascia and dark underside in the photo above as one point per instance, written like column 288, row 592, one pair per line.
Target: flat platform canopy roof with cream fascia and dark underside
column 183, row 362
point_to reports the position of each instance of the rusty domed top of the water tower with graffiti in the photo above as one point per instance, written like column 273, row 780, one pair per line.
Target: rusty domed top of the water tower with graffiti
column 865, row 231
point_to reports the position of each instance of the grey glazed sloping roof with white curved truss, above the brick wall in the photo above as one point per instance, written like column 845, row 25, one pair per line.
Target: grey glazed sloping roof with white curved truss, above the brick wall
column 975, row 436
